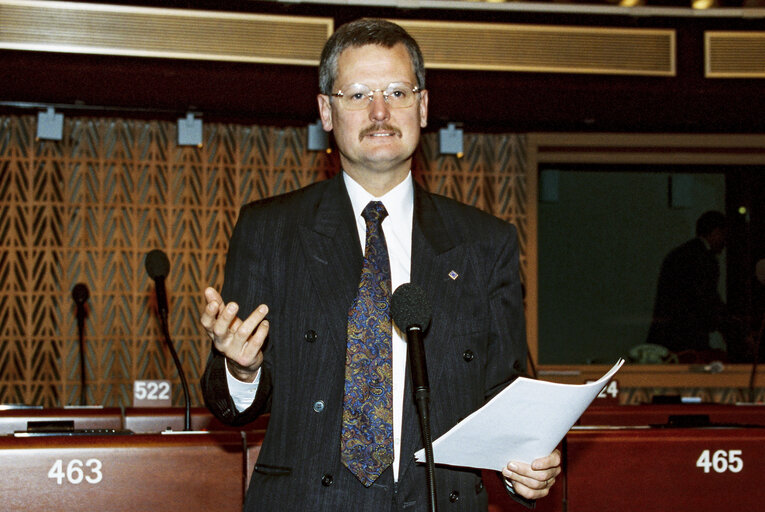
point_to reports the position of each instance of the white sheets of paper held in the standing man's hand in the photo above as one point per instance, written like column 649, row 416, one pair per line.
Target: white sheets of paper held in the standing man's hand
column 525, row 421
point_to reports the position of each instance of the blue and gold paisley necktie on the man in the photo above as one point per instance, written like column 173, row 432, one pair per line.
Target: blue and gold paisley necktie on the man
column 366, row 443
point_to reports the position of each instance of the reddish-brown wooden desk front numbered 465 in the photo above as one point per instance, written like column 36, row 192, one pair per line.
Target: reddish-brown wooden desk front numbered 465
column 665, row 469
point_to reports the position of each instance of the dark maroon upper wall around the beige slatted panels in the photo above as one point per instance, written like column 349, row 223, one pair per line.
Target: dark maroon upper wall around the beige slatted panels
column 482, row 101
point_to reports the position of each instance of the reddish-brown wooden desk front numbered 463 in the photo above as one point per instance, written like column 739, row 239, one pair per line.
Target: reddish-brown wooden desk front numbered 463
column 135, row 472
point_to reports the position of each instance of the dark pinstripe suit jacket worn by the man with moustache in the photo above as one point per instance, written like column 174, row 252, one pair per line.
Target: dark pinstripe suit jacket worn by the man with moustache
column 300, row 254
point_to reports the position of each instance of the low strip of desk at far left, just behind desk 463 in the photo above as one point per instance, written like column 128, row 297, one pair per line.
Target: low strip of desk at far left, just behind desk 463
column 13, row 420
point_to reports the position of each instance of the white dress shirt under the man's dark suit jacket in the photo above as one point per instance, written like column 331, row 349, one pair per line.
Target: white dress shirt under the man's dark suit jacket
column 397, row 227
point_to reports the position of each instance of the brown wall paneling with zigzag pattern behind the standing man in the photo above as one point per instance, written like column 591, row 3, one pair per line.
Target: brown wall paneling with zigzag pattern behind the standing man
column 88, row 208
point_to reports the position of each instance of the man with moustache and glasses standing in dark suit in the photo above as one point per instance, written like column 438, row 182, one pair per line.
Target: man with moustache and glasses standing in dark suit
column 295, row 262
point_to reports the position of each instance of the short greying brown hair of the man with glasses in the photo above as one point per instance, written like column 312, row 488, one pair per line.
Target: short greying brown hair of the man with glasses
column 361, row 33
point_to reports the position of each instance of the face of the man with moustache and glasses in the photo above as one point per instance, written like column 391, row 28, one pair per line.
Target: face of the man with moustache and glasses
column 377, row 142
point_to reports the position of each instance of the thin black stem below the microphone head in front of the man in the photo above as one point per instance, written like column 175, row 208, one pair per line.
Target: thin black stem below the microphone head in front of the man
column 422, row 399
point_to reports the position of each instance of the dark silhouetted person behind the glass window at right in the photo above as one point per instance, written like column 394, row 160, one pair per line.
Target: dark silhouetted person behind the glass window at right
column 688, row 306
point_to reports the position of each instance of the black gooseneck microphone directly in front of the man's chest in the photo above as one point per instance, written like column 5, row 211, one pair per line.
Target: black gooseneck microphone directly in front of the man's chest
column 411, row 312
